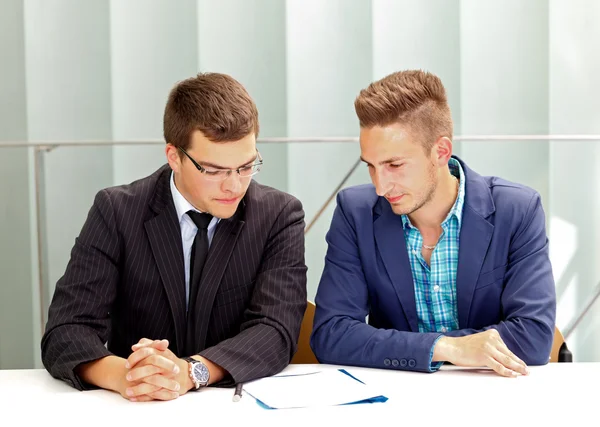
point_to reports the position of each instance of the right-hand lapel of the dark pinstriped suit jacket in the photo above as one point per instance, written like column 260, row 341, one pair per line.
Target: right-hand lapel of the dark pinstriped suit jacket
column 222, row 246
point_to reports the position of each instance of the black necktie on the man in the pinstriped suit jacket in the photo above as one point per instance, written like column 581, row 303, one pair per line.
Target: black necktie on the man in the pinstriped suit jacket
column 197, row 260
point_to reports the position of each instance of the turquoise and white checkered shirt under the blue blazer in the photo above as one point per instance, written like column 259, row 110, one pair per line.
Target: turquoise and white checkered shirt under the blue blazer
column 435, row 284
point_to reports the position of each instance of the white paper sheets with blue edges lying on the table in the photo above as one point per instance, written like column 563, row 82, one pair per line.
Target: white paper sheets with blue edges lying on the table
column 312, row 389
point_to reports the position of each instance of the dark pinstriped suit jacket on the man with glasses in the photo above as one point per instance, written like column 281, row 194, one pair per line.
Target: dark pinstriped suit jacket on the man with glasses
column 125, row 281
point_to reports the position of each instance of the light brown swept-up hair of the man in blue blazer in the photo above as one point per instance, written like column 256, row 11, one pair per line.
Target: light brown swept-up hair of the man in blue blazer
column 414, row 98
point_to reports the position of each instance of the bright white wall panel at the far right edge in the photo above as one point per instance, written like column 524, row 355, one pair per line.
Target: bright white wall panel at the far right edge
column 574, row 168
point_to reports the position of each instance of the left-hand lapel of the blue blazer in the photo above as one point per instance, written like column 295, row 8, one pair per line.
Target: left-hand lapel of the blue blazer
column 391, row 244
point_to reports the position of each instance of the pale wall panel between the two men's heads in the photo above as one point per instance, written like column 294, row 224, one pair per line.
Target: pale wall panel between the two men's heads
column 329, row 52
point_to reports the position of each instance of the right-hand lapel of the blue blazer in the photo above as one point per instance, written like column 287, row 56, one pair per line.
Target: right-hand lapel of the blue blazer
column 475, row 237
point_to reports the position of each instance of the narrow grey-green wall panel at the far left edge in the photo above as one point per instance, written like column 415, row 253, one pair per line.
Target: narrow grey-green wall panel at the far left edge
column 16, row 290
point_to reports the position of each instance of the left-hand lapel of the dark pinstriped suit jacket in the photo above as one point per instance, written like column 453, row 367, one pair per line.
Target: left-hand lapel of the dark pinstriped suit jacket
column 164, row 235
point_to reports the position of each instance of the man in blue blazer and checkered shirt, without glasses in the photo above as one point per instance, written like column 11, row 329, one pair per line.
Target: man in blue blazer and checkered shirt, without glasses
column 447, row 265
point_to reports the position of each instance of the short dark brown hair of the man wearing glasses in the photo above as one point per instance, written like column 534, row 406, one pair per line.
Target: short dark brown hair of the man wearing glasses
column 213, row 103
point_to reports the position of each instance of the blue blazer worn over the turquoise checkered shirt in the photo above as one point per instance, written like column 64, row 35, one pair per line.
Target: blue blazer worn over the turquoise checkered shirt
column 504, row 279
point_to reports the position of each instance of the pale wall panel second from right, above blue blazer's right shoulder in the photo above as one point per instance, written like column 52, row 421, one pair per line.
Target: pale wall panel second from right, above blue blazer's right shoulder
column 504, row 87
